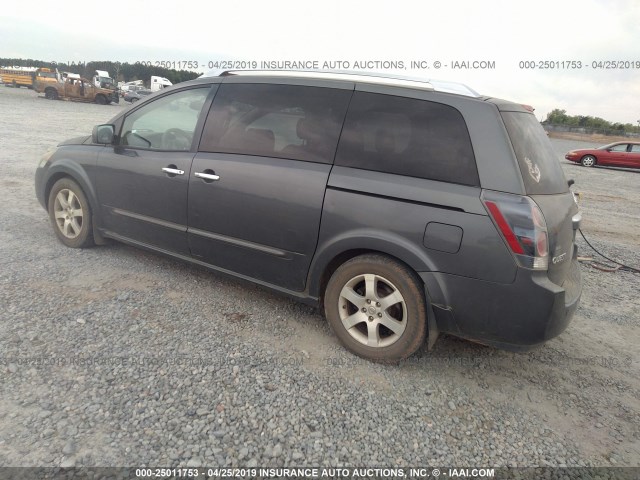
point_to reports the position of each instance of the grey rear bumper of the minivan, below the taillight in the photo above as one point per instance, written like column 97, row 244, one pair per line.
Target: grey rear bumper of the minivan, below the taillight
column 516, row 316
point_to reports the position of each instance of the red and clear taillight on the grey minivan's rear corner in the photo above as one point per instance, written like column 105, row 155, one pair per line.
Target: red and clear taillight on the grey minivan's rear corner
column 522, row 225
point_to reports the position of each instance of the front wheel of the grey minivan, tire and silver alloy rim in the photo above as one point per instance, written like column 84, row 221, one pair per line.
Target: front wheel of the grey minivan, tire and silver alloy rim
column 70, row 214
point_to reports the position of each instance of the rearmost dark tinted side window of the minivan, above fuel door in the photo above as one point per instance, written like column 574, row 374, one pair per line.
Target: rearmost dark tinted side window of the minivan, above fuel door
column 407, row 136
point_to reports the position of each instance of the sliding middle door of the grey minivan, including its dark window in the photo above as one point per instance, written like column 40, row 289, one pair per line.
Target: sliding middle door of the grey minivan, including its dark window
column 258, row 181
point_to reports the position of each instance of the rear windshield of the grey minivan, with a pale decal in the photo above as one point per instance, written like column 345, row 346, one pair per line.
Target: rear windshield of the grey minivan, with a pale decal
column 539, row 164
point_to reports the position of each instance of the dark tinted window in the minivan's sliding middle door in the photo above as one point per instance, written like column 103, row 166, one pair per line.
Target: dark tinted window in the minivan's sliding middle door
column 287, row 121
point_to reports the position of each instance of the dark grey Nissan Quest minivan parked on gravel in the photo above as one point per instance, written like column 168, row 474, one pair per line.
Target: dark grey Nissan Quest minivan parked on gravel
column 402, row 208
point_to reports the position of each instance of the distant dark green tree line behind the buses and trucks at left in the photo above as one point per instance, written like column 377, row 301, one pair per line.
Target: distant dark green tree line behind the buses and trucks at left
column 119, row 71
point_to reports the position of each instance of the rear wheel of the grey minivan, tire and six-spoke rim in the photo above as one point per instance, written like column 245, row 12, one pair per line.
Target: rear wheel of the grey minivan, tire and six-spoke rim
column 376, row 308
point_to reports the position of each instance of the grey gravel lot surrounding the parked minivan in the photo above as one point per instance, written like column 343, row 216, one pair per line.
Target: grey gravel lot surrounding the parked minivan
column 112, row 356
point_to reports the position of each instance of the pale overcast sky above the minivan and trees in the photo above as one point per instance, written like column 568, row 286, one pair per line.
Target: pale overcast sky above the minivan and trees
column 498, row 48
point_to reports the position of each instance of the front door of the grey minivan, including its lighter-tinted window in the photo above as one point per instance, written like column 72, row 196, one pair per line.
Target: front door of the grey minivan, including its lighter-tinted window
column 143, row 181
